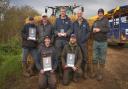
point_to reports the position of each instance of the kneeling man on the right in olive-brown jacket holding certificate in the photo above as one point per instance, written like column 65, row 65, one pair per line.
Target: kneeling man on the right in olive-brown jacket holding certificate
column 71, row 61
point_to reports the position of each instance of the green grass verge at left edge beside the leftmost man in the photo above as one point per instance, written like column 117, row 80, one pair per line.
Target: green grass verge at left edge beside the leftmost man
column 10, row 64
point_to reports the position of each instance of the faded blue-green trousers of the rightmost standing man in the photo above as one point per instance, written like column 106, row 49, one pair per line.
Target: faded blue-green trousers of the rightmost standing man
column 99, row 52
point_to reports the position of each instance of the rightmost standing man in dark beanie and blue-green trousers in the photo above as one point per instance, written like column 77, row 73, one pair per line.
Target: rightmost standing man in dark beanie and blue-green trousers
column 100, row 30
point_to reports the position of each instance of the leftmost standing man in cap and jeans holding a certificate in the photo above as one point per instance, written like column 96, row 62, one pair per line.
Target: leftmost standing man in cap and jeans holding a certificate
column 29, row 36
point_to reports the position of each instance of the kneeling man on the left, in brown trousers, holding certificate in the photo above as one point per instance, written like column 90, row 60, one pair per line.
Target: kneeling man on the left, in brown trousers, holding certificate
column 47, row 65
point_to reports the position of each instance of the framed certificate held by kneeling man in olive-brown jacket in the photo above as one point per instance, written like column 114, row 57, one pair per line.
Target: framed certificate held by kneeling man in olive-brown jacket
column 70, row 59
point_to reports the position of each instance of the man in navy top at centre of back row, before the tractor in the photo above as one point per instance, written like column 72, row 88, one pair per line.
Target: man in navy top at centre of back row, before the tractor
column 62, row 32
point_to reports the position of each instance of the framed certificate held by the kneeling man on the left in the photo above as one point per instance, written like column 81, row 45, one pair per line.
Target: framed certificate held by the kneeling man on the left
column 47, row 65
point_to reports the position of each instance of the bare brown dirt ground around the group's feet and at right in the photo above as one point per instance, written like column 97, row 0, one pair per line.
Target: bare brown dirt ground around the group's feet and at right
column 116, row 75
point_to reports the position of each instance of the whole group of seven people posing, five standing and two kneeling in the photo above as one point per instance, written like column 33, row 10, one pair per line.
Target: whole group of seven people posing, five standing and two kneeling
column 61, row 49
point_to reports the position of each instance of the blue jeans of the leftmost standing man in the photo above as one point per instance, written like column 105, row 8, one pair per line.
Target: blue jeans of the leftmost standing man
column 34, row 52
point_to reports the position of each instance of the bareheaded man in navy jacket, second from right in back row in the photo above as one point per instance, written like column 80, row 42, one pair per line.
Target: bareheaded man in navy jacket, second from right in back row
column 82, row 30
